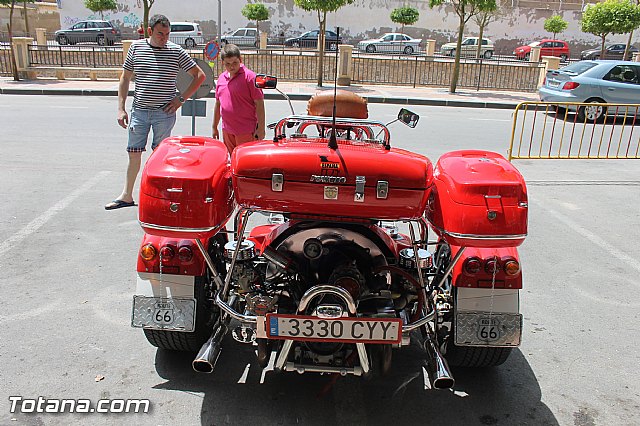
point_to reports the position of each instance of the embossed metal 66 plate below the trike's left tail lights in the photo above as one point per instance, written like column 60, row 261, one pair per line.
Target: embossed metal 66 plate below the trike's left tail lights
column 163, row 314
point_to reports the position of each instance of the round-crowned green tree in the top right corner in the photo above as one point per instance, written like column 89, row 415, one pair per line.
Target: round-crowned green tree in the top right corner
column 610, row 17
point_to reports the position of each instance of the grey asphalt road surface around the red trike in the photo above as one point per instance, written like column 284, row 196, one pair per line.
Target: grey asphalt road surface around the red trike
column 67, row 275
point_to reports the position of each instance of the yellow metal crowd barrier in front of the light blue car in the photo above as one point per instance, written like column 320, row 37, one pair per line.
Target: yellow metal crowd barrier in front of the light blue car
column 551, row 130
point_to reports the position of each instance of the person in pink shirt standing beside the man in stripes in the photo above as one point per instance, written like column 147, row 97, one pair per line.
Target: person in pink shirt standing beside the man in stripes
column 238, row 101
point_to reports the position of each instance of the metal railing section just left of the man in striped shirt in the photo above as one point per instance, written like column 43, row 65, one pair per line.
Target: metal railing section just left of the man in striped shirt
column 75, row 56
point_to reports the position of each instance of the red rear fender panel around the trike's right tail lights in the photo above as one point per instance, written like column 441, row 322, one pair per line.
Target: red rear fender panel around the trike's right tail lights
column 460, row 278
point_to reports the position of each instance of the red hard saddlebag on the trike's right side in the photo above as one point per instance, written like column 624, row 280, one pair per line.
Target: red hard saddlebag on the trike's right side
column 479, row 200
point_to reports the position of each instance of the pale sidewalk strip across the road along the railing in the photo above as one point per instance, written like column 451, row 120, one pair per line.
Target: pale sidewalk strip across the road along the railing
column 406, row 95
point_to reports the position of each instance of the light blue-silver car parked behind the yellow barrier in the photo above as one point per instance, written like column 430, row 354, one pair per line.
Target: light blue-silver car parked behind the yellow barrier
column 602, row 81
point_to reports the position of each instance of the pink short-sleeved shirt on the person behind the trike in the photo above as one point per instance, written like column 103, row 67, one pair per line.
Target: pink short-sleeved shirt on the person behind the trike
column 237, row 98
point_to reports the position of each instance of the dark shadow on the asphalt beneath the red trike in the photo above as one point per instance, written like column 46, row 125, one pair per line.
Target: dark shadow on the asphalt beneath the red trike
column 505, row 395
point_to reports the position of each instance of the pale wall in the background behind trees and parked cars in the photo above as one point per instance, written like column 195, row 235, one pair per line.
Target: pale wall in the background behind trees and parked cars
column 363, row 19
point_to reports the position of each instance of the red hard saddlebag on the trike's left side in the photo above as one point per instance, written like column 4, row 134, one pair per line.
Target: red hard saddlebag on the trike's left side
column 186, row 188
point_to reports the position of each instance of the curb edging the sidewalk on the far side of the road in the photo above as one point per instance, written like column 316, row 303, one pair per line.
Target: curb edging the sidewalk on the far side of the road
column 276, row 96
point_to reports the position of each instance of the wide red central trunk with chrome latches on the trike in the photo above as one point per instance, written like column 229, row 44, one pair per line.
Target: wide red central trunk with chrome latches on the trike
column 409, row 177
